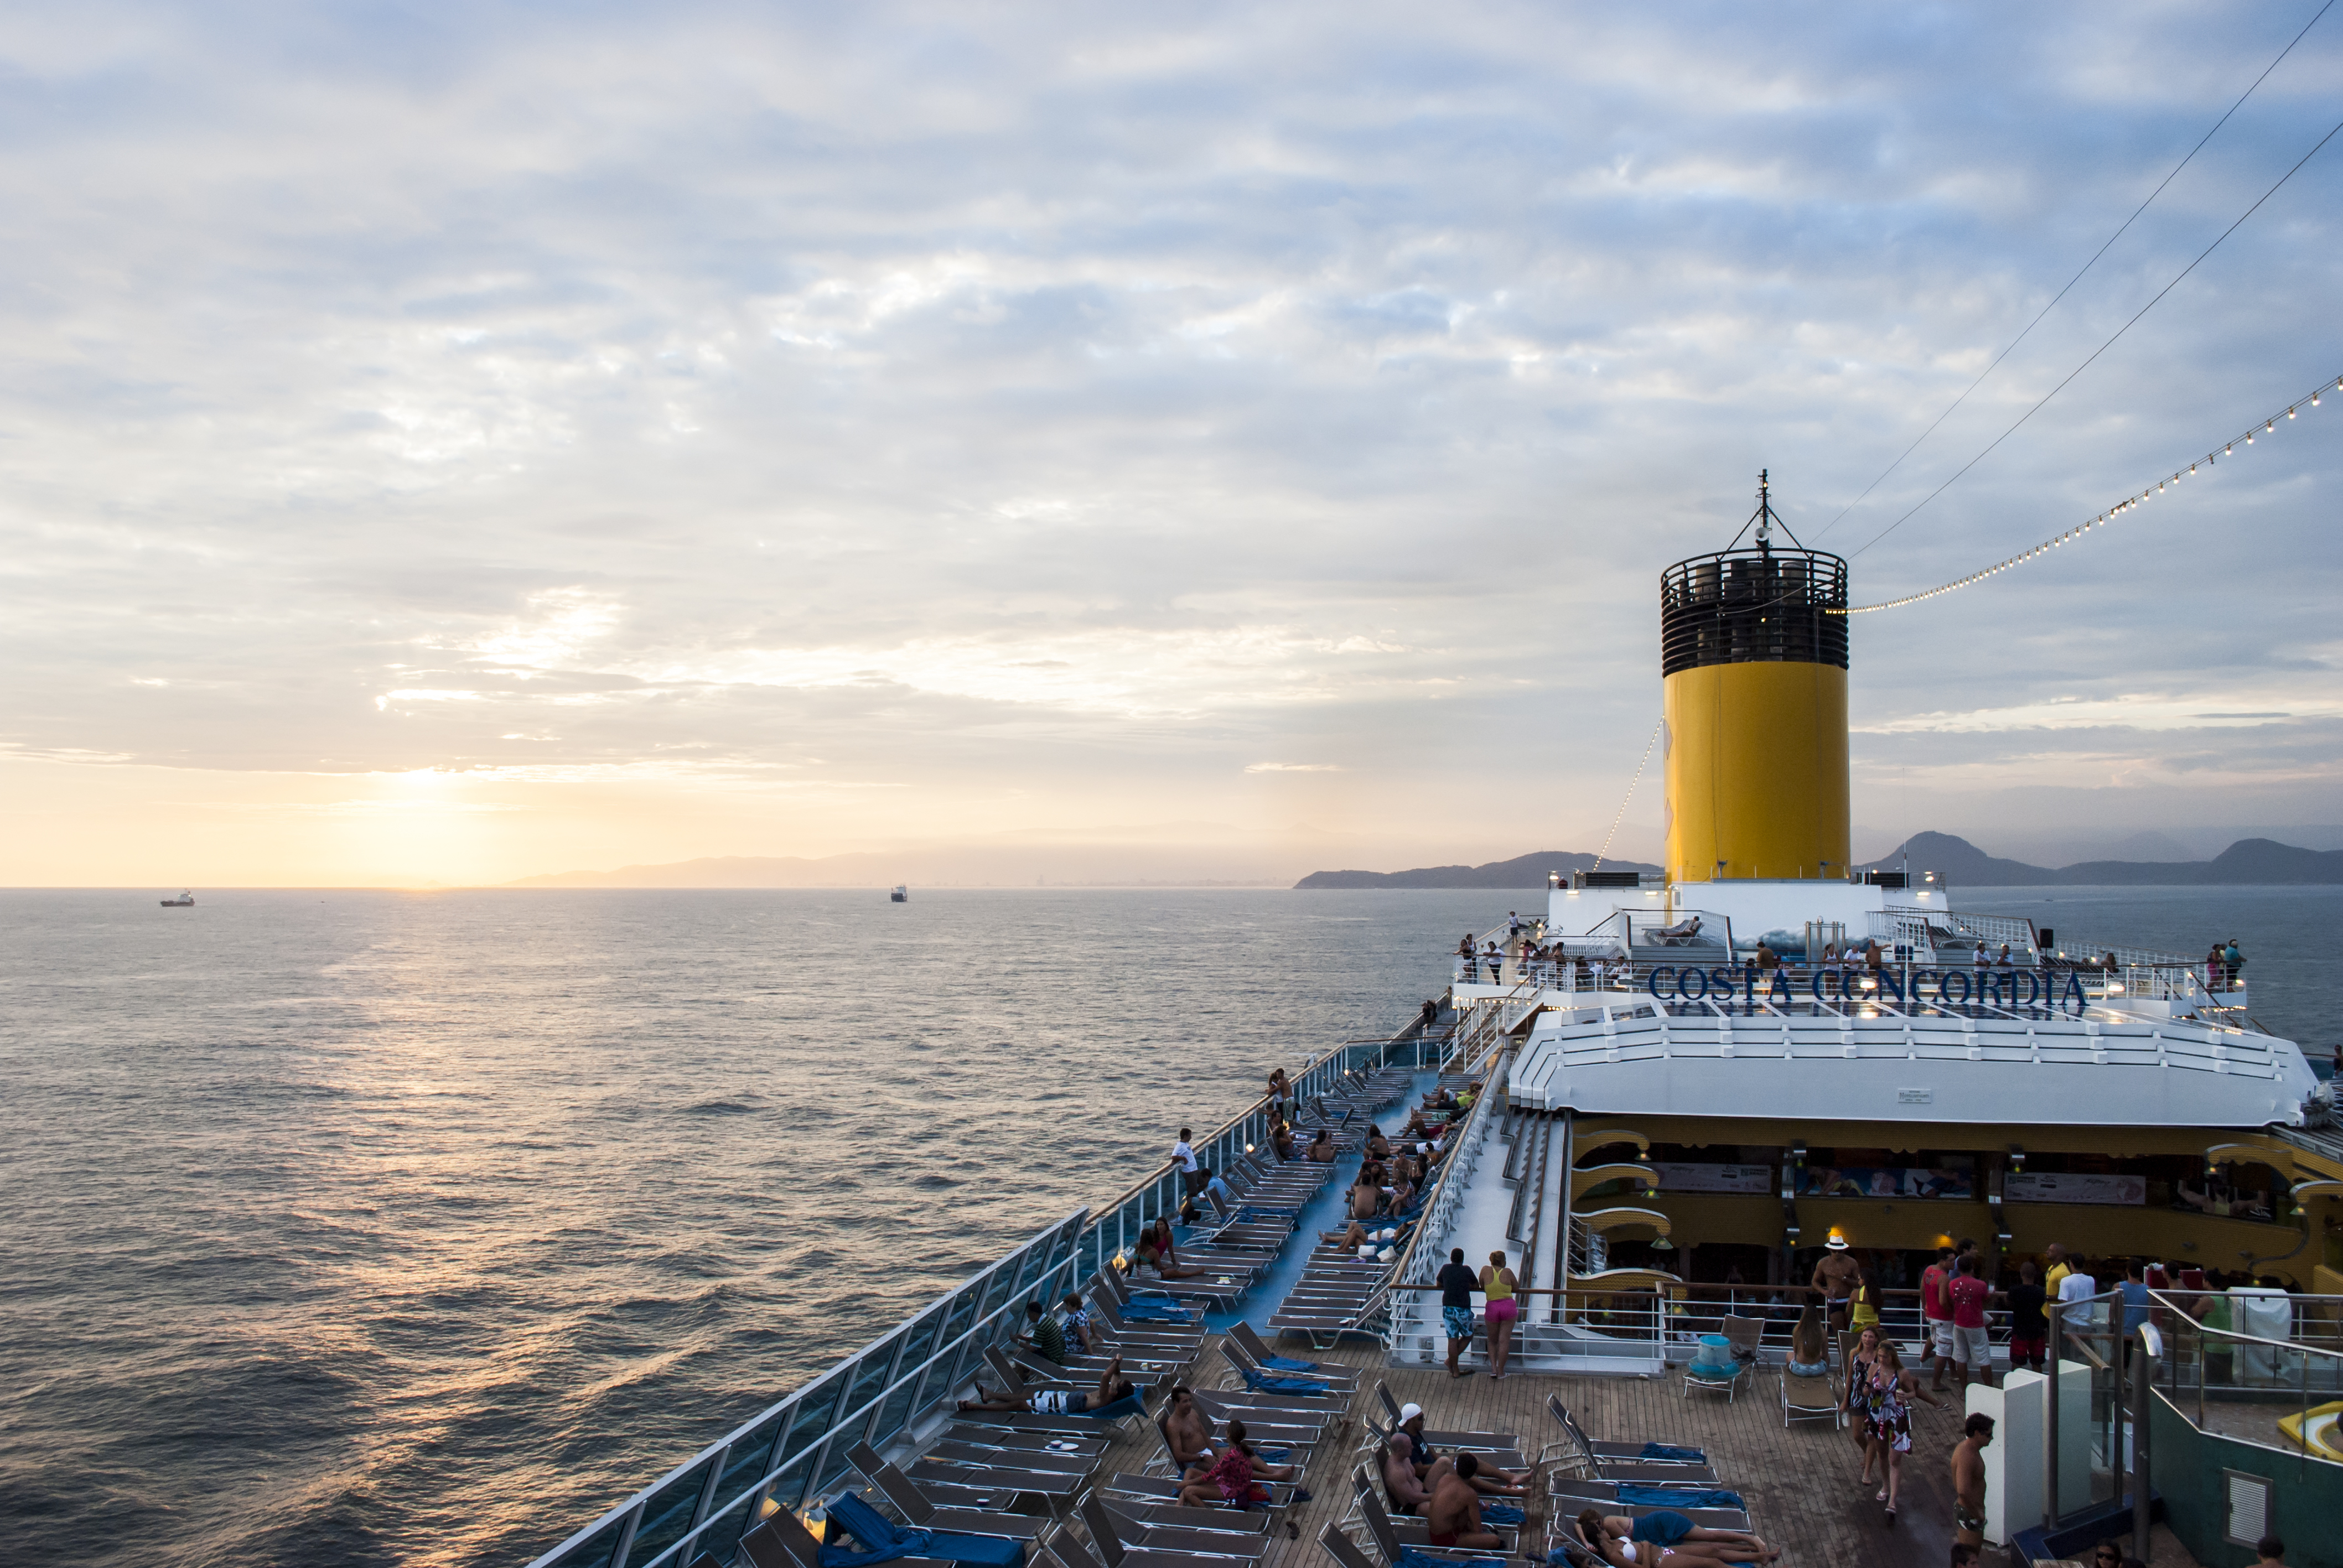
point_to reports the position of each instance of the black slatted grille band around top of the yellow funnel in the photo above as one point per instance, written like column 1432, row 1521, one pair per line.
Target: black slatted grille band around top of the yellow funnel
column 1754, row 606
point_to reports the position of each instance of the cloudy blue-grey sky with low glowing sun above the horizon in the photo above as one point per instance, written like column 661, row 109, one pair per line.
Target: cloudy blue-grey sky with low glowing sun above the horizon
column 449, row 444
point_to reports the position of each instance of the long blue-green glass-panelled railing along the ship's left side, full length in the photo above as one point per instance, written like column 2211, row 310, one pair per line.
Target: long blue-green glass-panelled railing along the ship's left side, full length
column 795, row 1450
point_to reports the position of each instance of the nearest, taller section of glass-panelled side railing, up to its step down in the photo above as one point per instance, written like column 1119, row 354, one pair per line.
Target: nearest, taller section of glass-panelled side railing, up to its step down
column 798, row 1447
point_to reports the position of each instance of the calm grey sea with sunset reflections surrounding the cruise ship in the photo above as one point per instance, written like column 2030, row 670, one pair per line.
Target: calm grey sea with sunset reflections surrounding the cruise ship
column 376, row 1227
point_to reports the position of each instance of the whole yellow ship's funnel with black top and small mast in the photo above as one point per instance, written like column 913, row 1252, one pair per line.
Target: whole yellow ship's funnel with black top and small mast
column 1754, row 683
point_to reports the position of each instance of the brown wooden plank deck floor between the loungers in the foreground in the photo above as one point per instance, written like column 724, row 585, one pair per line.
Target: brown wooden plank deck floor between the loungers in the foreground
column 1801, row 1482
